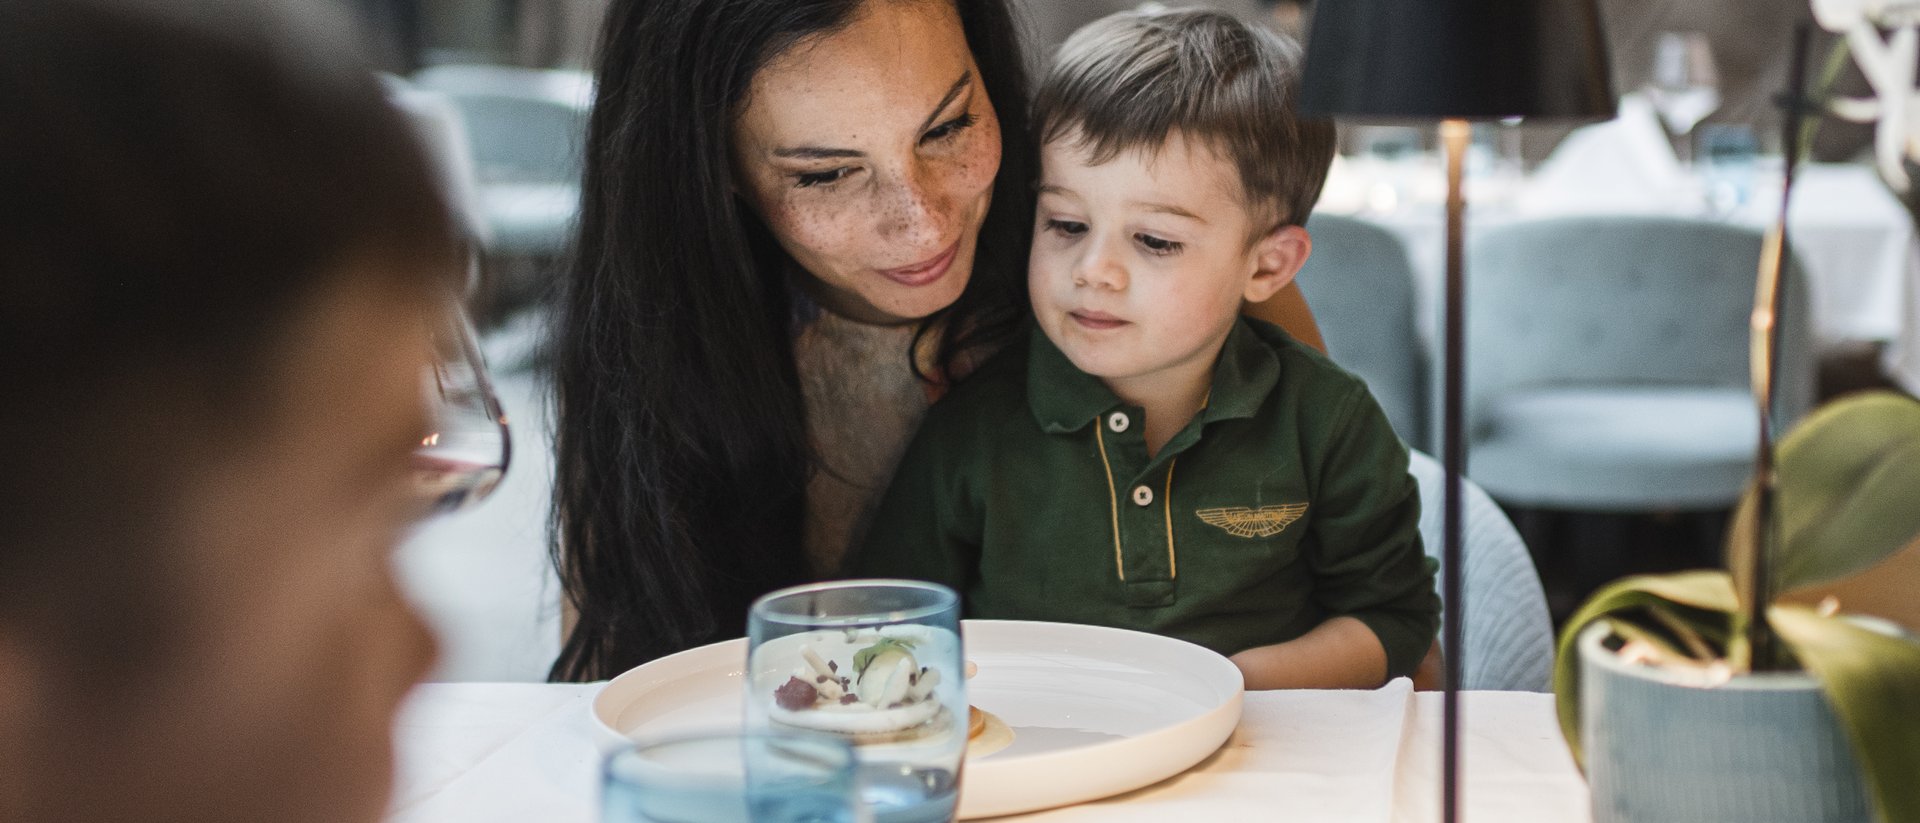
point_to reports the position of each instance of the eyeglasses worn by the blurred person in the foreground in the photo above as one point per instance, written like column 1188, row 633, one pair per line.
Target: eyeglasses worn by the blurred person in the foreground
column 466, row 454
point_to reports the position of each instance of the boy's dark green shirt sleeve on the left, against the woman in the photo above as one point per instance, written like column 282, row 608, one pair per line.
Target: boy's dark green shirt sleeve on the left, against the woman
column 921, row 529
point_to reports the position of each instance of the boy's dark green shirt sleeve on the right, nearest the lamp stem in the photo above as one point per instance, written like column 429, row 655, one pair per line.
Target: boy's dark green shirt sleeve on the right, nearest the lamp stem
column 1368, row 557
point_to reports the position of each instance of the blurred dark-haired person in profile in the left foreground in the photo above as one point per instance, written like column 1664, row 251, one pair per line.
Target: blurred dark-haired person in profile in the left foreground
column 218, row 250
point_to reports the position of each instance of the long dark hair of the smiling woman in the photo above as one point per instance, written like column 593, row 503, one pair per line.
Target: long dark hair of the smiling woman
column 683, row 452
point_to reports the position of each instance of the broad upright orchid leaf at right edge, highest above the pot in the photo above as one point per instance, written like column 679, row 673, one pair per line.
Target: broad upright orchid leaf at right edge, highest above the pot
column 1848, row 481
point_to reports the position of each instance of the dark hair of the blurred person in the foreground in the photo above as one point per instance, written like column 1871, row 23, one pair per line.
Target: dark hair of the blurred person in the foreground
column 180, row 179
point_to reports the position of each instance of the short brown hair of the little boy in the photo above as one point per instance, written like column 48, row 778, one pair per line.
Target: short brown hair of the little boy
column 1132, row 80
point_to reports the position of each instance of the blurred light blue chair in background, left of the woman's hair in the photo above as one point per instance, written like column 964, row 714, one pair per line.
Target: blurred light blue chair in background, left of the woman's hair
column 527, row 129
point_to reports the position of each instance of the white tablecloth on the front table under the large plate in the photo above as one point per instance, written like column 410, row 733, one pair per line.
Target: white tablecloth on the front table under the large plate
column 516, row 753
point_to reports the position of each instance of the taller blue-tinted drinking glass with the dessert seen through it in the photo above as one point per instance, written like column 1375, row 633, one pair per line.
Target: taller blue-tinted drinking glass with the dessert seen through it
column 875, row 663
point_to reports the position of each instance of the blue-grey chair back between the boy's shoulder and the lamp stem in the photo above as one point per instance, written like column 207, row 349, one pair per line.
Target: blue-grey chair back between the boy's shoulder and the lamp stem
column 1360, row 287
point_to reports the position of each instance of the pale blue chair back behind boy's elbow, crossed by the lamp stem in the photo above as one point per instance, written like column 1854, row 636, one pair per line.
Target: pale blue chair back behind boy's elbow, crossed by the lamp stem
column 1508, row 632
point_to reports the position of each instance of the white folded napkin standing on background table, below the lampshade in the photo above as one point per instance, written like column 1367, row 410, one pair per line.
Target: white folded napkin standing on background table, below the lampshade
column 1623, row 166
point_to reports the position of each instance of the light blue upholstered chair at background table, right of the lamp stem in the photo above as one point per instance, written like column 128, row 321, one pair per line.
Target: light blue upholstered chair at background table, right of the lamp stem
column 1608, row 364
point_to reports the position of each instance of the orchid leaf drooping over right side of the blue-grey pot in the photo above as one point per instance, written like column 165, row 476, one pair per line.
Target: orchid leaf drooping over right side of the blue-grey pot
column 1873, row 682
